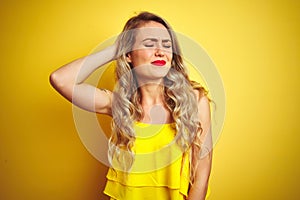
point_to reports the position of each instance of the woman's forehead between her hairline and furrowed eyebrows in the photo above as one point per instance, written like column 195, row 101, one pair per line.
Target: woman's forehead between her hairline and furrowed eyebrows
column 152, row 30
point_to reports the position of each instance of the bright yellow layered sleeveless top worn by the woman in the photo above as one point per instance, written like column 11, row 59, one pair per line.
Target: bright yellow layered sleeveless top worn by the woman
column 160, row 171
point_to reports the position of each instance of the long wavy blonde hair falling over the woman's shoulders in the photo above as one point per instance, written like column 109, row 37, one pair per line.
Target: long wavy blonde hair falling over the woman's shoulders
column 179, row 97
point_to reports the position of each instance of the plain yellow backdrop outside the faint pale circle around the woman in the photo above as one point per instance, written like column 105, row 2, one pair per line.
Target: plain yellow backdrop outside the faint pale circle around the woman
column 254, row 44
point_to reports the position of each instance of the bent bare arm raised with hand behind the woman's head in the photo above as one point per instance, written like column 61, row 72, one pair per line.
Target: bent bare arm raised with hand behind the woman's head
column 69, row 79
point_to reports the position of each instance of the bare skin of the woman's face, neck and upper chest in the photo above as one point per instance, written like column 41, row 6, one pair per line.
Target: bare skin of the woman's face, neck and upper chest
column 152, row 43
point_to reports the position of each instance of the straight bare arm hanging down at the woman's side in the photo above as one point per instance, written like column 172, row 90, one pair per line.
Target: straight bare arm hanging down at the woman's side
column 199, row 188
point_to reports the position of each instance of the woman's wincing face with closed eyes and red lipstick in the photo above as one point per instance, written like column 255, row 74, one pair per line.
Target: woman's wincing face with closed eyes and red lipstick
column 151, row 54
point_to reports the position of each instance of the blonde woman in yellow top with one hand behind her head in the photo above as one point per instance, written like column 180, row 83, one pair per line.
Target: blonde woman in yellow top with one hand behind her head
column 160, row 147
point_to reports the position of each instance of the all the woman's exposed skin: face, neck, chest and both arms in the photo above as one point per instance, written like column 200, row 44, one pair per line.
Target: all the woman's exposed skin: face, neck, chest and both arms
column 152, row 43
